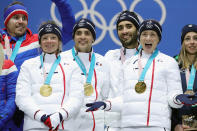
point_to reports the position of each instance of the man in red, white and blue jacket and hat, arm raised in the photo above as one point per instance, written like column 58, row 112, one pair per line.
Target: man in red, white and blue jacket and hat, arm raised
column 21, row 44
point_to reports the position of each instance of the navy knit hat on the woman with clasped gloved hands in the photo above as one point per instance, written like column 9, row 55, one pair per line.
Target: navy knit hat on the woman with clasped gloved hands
column 49, row 28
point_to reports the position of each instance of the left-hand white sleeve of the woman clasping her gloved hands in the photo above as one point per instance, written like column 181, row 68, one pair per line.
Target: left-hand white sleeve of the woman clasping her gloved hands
column 23, row 94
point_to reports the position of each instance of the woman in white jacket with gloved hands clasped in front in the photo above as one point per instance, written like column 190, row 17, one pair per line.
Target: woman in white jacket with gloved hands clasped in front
column 48, row 90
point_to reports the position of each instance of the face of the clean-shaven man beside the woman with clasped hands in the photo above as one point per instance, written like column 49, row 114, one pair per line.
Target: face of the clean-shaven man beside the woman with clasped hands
column 83, row 40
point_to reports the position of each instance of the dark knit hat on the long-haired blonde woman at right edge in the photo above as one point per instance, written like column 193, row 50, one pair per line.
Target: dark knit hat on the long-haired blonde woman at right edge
column 186, row 29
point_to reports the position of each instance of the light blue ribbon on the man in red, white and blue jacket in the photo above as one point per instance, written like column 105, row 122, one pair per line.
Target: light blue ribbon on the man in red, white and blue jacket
column 16, row 48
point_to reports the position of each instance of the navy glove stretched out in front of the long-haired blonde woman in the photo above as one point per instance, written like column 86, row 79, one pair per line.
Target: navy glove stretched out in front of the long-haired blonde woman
column 185, row 99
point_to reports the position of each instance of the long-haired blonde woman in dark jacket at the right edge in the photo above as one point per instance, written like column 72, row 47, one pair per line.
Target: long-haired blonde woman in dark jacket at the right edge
column 186, row 117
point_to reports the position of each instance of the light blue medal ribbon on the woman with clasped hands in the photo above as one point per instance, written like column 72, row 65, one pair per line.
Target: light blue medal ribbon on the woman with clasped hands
column 52, row 70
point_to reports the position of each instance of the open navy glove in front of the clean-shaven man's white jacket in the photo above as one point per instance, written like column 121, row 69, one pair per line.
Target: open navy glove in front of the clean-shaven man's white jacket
column 95, row 106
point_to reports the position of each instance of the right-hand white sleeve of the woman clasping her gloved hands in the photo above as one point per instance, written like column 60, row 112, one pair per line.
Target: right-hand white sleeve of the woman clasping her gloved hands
column 76, row 95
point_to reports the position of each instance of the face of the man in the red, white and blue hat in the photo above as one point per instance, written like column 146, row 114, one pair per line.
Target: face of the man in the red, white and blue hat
column 17, row 25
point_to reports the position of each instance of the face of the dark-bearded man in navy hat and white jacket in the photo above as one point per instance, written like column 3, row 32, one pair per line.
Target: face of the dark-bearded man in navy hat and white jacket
column 127, row 33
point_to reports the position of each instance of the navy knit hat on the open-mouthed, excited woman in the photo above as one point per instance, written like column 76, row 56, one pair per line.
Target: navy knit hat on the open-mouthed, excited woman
column 151, row 25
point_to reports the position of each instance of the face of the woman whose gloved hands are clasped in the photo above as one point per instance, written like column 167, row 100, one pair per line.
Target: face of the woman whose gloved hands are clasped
column 50, row 43
